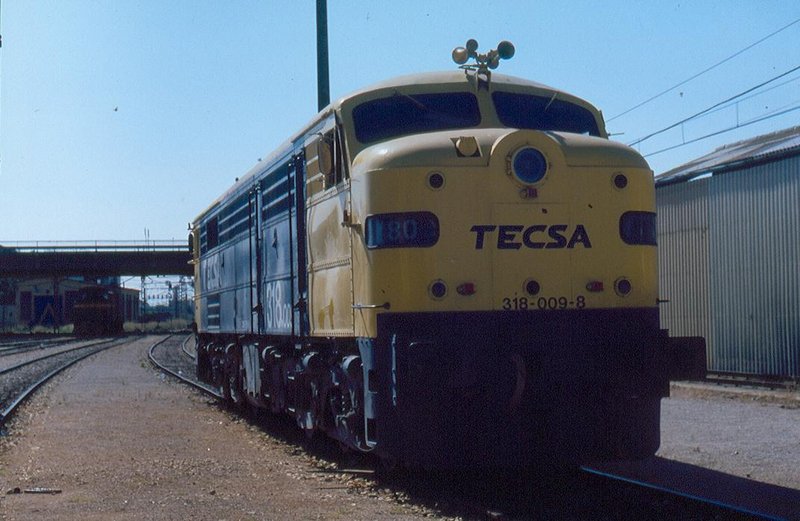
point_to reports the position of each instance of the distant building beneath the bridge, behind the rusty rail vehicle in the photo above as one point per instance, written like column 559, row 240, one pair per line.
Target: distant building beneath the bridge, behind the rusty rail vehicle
column 30, row 303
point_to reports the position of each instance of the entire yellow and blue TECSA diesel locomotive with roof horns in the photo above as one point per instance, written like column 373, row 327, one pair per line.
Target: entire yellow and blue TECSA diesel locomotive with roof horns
column 446, row 269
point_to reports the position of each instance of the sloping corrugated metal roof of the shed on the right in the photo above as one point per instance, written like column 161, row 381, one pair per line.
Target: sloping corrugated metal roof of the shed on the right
column 758, row 149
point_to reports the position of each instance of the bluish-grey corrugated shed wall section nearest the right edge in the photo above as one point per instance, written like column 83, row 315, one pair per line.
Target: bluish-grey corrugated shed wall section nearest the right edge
column 755, row 256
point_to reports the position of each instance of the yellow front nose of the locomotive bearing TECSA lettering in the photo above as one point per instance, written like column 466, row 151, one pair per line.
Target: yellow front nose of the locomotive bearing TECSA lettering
column 533, row 222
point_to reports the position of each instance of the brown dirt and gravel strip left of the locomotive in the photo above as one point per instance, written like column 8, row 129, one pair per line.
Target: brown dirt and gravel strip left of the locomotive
column 134, row 444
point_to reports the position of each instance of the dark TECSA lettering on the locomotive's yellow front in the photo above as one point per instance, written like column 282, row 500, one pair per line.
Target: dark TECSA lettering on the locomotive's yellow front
column 537, row 236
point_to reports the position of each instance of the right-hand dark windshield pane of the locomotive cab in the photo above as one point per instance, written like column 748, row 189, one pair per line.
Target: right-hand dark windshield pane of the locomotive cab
column 543, row 113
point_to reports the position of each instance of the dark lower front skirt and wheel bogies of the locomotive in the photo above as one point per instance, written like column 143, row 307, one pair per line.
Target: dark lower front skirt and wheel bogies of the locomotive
column 469, row 388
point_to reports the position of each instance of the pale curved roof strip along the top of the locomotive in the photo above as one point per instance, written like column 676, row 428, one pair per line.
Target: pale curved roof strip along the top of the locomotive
column 455, row 77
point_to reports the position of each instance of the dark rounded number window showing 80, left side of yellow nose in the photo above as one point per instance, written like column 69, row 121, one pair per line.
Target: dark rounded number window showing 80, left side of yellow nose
column 402, row 230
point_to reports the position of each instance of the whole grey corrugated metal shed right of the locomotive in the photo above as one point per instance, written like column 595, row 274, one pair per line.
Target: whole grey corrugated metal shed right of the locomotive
column 729, row 254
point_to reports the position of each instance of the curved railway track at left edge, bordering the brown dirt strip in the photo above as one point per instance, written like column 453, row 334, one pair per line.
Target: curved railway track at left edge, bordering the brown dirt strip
column 20, row 380
